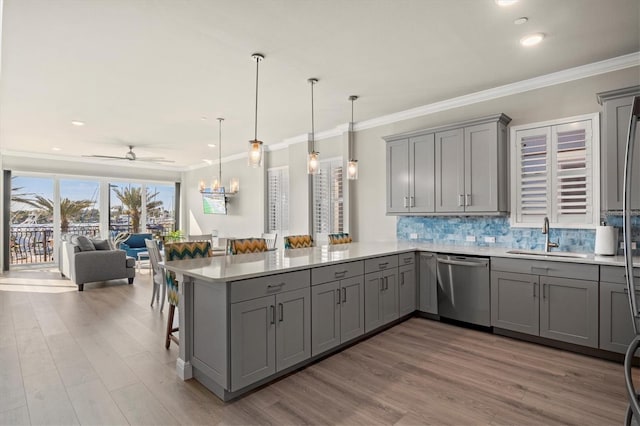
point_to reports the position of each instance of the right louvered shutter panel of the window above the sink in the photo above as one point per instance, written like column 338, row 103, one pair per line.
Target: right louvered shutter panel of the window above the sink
column 573, row 180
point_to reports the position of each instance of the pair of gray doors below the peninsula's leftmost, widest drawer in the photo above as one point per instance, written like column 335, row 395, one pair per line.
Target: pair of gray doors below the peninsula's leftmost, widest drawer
column 269, row 334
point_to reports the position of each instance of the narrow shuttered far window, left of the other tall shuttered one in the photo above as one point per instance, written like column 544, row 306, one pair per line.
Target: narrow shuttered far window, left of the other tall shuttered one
column 278, row 199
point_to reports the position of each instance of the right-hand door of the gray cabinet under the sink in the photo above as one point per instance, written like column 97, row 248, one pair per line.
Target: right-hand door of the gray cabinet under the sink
column 569, row 310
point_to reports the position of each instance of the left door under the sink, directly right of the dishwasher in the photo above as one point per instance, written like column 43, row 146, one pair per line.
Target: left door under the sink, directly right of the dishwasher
column 515, row 302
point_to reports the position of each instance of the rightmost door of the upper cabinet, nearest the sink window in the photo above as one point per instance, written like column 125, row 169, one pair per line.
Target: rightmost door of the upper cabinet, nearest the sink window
column 481, row 168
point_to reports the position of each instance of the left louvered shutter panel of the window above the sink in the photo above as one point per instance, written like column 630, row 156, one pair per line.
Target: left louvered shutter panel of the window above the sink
column 533, row 183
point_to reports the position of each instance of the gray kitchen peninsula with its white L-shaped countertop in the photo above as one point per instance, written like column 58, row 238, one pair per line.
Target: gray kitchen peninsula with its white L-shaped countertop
column 248, row 319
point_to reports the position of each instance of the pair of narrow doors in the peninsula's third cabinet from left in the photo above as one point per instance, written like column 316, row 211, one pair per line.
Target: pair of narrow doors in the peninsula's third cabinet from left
column 380, row 298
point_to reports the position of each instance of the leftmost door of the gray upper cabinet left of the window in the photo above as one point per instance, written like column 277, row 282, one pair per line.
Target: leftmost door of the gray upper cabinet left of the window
column 398, row 176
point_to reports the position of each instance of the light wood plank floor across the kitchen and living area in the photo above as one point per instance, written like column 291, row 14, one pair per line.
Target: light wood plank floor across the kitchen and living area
column 98, row 357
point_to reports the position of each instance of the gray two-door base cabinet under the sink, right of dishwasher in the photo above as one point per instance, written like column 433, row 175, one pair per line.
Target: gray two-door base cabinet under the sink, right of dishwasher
column 546, row 302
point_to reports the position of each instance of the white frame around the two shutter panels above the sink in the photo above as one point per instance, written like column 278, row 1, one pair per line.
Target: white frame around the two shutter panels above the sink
column 593, row 149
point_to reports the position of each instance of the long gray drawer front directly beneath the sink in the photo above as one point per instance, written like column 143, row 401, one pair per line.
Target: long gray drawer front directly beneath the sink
column 579, row 271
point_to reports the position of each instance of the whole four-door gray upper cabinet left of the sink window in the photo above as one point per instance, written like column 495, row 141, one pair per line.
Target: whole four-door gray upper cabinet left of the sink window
column 458, row 168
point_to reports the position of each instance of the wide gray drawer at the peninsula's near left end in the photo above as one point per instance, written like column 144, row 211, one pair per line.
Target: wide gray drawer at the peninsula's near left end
column 264, row 286
